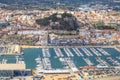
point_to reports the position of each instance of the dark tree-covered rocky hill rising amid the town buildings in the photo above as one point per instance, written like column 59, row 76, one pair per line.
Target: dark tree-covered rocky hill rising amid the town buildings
column 56, row 21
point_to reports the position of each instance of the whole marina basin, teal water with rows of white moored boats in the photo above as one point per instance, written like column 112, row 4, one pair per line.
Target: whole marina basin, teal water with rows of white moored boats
column 66, row 58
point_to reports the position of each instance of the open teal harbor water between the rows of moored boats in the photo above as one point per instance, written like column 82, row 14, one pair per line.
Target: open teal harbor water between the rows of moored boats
column 30, row 55
